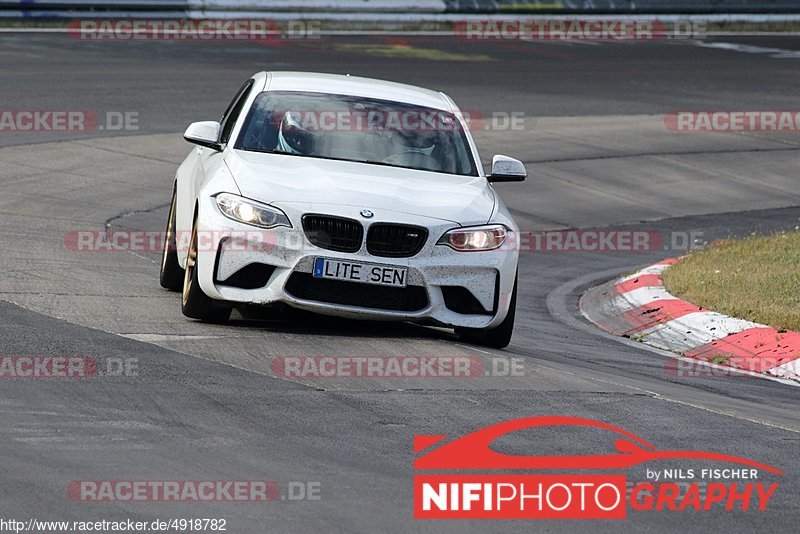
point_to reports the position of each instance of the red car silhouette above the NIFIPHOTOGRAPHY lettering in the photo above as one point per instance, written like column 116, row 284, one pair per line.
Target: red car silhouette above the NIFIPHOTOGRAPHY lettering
column 473, row 451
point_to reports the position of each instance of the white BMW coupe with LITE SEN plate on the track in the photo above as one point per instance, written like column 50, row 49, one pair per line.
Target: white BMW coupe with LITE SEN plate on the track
column 345, row 196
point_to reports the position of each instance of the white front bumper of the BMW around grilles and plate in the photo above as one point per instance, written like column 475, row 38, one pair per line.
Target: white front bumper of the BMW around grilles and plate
column 227, row 247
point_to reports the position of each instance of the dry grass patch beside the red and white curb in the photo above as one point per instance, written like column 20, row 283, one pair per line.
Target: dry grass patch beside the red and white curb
column 757, row 278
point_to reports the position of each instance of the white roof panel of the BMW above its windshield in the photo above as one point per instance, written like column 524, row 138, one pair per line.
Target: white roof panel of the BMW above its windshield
column 355, row 86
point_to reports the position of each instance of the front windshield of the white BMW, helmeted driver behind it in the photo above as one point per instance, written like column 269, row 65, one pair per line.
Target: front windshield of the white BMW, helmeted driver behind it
column 358, row 129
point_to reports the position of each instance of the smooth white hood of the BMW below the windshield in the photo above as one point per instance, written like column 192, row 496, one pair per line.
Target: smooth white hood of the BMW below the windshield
column 280, row 179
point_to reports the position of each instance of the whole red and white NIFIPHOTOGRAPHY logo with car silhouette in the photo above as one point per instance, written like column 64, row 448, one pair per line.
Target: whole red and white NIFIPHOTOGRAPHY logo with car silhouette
column 733, row 483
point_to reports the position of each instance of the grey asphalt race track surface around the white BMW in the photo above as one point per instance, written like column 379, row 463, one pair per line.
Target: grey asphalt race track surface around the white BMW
column 203, row 403
